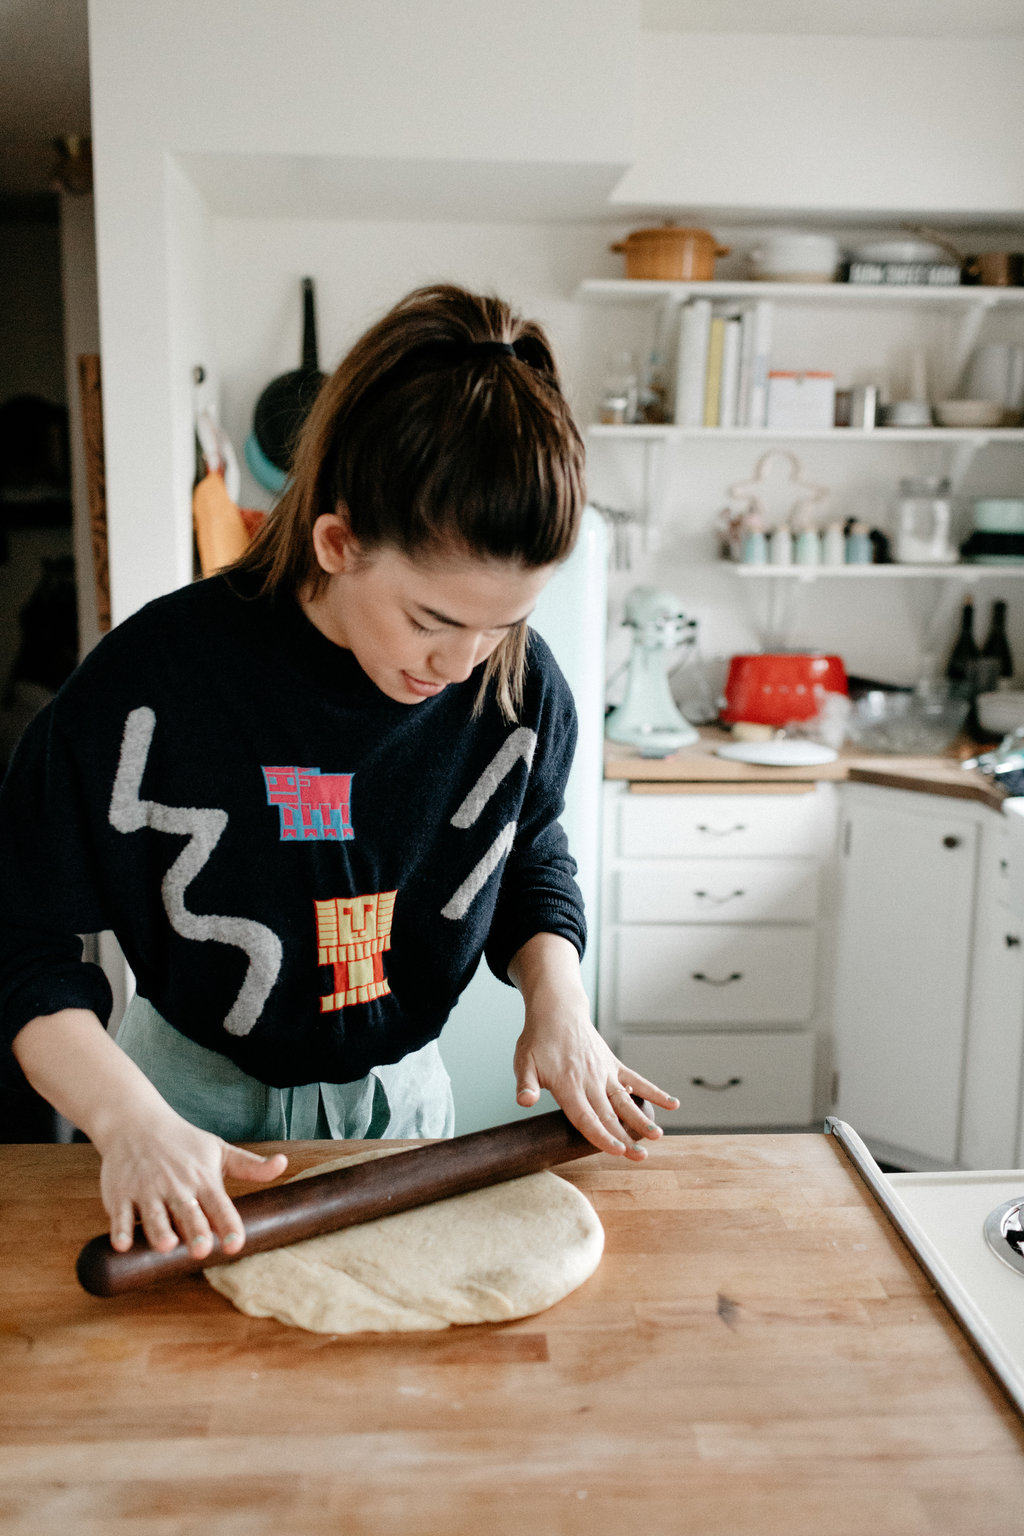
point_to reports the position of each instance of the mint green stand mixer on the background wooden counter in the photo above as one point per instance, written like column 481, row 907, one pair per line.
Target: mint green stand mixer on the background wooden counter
column 649, row 717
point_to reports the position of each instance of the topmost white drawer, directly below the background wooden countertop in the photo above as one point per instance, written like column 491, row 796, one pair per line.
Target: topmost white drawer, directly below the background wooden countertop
column 719, row 826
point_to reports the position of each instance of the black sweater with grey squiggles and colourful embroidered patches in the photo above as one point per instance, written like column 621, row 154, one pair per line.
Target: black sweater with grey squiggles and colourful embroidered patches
column 302, row 872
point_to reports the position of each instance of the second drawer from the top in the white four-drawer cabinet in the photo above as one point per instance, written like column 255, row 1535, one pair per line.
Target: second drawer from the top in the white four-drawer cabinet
column 718, row 890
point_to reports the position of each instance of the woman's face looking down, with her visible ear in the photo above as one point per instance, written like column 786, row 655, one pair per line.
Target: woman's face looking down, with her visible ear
column 415, row 626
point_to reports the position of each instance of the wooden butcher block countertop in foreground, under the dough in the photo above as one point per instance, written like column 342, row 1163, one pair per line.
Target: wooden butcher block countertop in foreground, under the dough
column 756, row 1354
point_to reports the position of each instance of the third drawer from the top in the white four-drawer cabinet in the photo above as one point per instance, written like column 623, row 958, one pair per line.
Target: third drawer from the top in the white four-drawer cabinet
column 715, row 975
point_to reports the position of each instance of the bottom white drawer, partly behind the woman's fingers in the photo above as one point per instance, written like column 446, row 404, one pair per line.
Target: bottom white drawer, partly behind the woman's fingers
column 728, row 1081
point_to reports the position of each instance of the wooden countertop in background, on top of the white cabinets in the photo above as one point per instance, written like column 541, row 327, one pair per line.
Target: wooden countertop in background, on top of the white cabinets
column 698, row 769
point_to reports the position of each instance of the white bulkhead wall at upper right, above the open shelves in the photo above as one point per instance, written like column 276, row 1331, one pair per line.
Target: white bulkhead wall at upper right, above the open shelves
column 884, row 125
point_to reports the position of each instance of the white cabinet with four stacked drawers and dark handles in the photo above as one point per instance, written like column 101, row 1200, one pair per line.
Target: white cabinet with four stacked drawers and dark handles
column 715, row 944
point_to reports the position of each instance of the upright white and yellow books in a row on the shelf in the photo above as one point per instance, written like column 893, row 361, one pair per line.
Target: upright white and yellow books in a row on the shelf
column 724, row 365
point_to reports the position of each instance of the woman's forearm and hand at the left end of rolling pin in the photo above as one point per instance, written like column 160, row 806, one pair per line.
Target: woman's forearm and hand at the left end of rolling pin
column 154, row 1162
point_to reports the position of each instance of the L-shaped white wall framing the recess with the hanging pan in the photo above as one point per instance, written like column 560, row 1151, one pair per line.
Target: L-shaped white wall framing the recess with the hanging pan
column 487, row 84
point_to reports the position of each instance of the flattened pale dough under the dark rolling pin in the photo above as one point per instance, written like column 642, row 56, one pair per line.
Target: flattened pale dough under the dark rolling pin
column 486, row 1257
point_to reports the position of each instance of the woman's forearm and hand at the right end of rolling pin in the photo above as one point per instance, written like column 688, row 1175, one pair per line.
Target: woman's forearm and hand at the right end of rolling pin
column 561, row 1050
